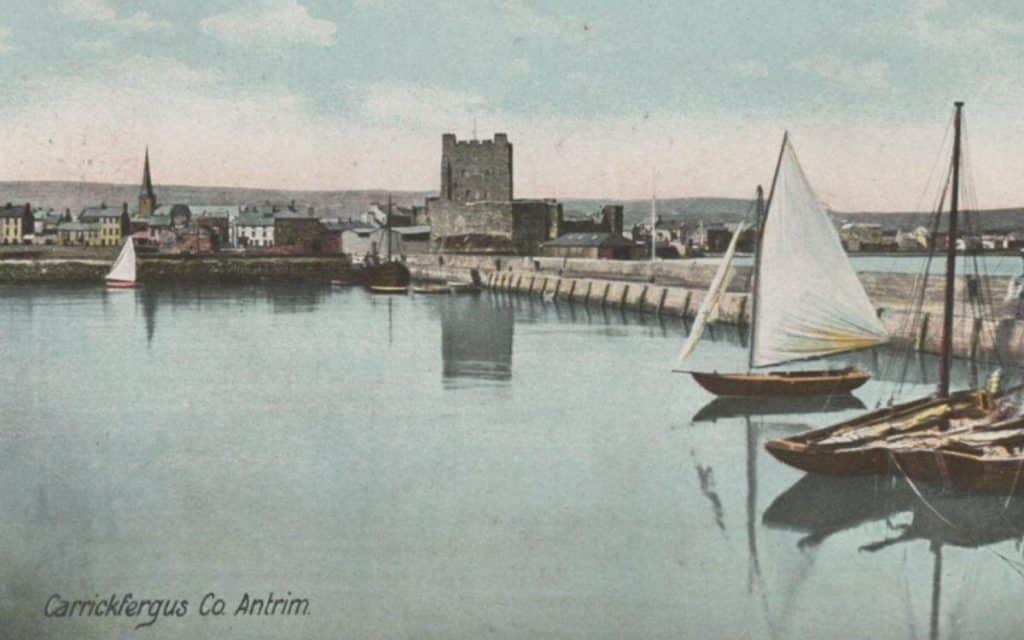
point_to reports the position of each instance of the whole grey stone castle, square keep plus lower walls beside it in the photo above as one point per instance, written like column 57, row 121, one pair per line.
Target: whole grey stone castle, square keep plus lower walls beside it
column 477, row 211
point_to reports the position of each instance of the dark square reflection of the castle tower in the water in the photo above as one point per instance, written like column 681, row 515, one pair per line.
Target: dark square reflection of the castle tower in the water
column 477, row 337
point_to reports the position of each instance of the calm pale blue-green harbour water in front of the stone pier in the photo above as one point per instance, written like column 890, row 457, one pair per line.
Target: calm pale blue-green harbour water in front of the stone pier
column 450, row 467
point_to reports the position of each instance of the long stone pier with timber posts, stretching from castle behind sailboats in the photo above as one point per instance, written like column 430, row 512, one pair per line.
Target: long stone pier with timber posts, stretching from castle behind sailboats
column 678, row 288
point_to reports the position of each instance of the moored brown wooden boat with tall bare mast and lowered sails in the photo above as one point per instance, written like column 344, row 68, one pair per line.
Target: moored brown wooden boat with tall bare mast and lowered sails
column 971, row 440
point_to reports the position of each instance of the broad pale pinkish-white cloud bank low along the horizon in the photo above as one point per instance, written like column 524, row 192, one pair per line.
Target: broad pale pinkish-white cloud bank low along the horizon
column 206, row 132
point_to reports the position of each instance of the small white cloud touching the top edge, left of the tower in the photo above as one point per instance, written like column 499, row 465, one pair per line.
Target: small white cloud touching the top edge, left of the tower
column 270, row 22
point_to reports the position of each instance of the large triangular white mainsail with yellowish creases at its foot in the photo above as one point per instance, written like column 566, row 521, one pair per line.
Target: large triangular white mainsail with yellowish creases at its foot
column 810, row 302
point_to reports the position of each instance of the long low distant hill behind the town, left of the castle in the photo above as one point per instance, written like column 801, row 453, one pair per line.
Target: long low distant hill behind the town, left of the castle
column 76, row 196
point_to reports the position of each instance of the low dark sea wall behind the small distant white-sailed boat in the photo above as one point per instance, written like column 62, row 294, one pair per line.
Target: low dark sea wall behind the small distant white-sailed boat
column 205, row 270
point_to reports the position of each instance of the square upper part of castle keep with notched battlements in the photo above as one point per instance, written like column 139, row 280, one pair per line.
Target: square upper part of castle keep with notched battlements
column 477, row 170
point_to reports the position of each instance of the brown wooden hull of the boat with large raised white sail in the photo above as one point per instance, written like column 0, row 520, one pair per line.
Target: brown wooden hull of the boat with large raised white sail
column 783, row 383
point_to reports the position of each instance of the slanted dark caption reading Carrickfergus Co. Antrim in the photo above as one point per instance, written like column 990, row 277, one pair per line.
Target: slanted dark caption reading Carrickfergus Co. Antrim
column 150, row 610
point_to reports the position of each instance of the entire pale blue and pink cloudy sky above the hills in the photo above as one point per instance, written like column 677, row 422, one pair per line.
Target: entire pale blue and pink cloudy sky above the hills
column 601, row 100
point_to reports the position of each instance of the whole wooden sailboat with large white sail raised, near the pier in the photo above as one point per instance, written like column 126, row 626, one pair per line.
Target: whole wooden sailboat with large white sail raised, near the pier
column 807, row 301
